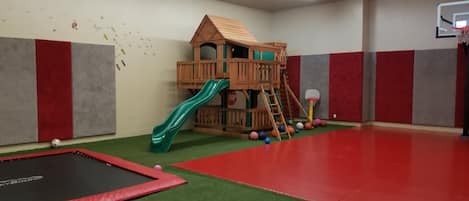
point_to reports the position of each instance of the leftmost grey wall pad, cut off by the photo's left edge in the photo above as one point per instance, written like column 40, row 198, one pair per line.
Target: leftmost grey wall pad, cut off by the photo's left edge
column 18, row 109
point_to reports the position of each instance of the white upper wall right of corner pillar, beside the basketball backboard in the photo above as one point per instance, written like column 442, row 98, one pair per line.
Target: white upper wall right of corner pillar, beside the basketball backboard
column 404, row 25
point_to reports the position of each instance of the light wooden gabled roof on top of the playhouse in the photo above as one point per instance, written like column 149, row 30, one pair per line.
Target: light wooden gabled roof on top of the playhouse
column 221, row 28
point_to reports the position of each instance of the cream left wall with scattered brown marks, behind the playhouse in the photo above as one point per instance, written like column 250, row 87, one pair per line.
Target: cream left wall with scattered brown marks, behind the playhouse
column 153, row 33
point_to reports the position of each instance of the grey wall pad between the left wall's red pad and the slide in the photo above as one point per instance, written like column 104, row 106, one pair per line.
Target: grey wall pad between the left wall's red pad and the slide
column 94, row 98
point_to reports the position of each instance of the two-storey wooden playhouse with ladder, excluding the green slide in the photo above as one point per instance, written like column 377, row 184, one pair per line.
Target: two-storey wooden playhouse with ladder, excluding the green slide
column 254, row 69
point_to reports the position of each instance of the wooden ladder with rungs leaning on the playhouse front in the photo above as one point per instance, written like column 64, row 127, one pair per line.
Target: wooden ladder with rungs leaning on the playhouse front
column 272, row 105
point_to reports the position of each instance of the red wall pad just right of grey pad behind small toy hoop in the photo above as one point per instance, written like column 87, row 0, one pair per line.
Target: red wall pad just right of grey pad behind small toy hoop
column 345, row 86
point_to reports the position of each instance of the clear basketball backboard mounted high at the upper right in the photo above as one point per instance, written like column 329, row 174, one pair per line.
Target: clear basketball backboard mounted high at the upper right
column 450, row 16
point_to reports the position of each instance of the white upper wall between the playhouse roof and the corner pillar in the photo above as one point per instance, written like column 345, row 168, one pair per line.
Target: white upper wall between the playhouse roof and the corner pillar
column 321, row 28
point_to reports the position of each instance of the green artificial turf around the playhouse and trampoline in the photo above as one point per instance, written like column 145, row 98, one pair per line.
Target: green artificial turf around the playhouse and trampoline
column 188, row 146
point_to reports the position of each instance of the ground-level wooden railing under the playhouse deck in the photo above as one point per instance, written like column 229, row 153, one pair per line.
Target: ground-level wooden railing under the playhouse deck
column 212, row 117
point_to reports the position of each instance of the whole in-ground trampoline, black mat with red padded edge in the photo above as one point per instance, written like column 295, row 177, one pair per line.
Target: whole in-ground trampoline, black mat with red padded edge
column 78, row 174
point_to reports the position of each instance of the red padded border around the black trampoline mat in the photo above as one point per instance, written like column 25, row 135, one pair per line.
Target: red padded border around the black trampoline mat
column 162, row 180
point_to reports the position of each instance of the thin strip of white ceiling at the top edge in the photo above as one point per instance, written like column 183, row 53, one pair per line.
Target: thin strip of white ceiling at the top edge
column 275, row 5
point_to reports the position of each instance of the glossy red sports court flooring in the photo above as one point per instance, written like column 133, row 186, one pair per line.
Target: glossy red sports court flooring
column 359, row 164
